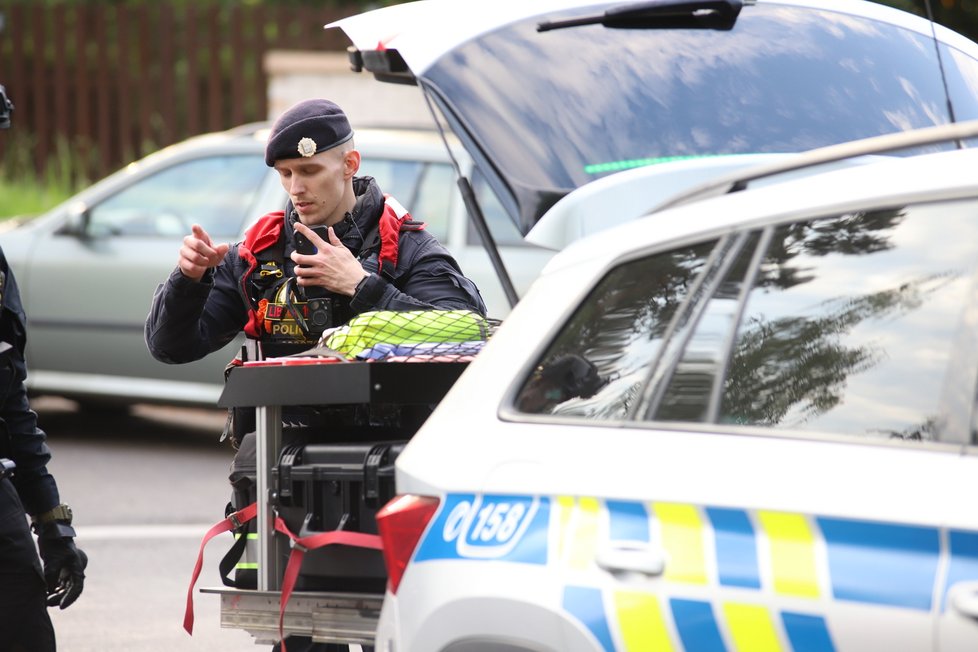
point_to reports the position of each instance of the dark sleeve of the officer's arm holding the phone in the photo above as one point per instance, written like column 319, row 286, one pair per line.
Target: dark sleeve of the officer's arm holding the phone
column 429, row 278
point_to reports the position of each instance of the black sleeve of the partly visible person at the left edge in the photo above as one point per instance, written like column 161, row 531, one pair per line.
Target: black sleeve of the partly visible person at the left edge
column 20, row 438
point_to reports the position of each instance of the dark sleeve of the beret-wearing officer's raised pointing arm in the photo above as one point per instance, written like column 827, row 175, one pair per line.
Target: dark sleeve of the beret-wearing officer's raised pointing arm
column 189, row 319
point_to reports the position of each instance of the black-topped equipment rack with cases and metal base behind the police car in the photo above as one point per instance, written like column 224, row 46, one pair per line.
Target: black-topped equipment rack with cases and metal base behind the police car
column 324, row 480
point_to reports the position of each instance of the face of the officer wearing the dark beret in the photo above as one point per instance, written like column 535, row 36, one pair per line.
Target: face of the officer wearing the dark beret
column 319, row 186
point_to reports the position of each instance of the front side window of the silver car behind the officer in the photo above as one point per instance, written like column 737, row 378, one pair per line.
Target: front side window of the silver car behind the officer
column 217, row 192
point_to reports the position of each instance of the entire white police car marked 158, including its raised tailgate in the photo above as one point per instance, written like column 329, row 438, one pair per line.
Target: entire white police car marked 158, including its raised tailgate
column 742, row 424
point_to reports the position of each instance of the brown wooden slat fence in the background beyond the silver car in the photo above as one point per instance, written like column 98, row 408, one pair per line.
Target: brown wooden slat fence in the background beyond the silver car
column 97, row 85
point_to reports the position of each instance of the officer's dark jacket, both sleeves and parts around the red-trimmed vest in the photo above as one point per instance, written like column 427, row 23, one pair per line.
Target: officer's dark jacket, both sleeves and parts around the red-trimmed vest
column 189, row 319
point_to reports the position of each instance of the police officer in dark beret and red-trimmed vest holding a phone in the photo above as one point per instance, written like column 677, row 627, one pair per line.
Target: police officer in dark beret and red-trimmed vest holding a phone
column 369, row 255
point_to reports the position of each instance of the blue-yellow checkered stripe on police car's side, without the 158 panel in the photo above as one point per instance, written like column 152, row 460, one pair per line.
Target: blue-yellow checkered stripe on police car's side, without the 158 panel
column 810, row 560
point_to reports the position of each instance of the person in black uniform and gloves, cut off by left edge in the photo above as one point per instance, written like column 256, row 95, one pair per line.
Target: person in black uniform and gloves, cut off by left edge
column 26, row 487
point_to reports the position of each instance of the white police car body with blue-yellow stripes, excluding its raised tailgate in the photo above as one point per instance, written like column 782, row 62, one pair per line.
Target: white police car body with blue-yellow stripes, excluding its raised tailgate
column 743, row 423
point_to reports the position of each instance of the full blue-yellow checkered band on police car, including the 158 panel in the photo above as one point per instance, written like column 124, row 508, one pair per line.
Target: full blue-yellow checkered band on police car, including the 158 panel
column 733, row 580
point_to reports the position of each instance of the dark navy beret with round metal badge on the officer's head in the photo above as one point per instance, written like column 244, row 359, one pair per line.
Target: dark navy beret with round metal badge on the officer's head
column 309, row 127
